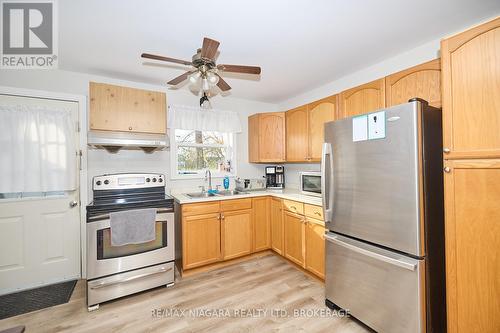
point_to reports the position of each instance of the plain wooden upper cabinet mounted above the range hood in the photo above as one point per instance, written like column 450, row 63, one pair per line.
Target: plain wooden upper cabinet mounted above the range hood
column 115, row 108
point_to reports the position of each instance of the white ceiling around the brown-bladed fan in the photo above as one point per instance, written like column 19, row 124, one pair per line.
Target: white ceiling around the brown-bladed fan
column 300, row 45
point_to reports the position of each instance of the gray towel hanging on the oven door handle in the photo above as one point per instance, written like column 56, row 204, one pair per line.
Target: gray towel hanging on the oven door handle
column 133, row 226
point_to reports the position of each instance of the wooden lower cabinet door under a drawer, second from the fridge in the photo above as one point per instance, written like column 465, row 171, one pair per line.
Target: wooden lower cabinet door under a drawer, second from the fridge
column 294, row 237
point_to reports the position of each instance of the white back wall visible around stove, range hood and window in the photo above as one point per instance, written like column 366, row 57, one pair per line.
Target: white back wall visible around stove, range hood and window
column 100, row 161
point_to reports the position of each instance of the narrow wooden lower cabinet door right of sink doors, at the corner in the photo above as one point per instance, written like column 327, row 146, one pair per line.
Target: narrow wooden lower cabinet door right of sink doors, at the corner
column 261, row 224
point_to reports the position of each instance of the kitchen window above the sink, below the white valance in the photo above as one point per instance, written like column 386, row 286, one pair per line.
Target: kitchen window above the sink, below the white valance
column 193, row 152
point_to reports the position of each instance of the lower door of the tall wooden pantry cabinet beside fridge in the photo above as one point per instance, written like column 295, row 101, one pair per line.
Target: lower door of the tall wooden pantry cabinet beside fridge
column 472, row 225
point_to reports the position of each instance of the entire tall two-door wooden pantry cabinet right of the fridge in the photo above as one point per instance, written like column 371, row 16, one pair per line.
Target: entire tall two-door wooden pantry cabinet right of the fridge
column 471, row 120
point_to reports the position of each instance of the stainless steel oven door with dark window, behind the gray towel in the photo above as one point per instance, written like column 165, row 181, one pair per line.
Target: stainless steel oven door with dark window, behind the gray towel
column 104, row 259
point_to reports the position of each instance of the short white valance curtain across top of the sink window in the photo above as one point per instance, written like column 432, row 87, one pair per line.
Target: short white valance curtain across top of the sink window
column 193, row 118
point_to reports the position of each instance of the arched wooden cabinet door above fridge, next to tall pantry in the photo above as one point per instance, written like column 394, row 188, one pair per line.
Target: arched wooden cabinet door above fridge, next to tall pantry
column 422, row 81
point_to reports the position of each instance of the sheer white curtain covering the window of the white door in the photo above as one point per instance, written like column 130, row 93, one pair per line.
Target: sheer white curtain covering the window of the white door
column 38, row 149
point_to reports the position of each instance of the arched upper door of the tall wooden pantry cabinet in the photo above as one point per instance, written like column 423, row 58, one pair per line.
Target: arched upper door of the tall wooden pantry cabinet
column 471, row 92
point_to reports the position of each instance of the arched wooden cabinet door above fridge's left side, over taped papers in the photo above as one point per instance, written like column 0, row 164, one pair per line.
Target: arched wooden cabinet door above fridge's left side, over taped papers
column 362, row 99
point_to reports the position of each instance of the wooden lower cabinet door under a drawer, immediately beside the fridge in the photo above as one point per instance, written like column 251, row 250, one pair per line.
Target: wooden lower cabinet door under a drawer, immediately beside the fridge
column 315, row 247
